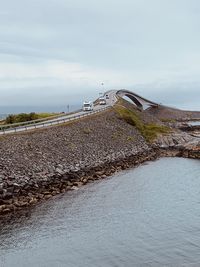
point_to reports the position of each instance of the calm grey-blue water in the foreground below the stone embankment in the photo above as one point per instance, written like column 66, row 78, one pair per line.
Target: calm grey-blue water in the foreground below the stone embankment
column 147, row 216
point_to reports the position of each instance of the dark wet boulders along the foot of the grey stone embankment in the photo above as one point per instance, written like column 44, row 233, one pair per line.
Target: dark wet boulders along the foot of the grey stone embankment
column 24, row 197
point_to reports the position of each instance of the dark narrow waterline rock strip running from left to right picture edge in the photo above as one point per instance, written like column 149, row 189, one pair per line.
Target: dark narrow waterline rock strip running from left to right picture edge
column 74, row 180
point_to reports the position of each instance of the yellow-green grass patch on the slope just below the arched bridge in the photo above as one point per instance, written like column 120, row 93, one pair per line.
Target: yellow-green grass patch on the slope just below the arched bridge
column 149, row 131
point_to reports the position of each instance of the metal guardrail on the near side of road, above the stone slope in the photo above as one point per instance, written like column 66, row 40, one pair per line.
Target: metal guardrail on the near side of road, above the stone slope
column 50, row 123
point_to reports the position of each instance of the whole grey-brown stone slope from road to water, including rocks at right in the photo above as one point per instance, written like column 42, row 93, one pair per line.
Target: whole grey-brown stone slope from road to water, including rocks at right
column 38, row 165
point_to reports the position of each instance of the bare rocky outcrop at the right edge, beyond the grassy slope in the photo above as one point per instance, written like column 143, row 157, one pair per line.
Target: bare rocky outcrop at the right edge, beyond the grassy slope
column 184, row 140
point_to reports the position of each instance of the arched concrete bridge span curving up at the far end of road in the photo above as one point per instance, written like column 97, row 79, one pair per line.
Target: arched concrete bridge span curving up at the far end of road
column 139, row 101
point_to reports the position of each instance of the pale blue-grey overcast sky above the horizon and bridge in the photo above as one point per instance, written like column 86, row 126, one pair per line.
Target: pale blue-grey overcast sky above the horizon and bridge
column 58, row 51
